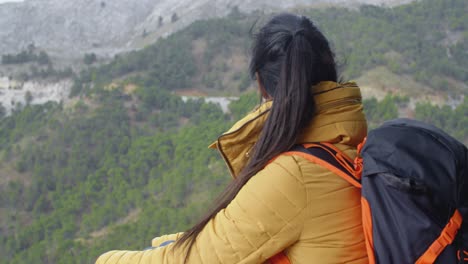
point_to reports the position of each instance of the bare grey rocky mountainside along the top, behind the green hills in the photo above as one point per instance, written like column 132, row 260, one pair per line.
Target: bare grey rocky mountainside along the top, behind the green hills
column 72, row 28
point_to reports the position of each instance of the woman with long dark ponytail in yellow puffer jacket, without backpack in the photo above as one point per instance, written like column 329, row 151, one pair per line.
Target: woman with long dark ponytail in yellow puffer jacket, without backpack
column 278, row 203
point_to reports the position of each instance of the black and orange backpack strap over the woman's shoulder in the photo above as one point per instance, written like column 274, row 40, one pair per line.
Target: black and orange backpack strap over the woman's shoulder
column 329, row 157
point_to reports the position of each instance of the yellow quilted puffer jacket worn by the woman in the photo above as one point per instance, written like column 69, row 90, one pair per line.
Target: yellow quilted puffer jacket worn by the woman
column 291, row 205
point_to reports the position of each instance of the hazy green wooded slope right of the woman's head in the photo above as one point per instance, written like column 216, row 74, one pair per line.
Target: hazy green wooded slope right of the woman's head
column 427, row 39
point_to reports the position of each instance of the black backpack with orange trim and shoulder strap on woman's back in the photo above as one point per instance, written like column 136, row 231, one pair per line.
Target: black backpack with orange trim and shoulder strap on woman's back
column 414, row 180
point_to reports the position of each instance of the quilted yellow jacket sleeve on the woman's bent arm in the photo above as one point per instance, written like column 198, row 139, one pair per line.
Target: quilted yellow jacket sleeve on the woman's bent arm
column 266, row 216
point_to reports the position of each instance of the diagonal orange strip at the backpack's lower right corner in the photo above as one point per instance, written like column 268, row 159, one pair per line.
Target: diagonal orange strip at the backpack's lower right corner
column 446, row 238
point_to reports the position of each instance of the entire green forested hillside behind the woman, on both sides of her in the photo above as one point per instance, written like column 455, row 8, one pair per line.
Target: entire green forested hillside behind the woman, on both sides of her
column 127, row 159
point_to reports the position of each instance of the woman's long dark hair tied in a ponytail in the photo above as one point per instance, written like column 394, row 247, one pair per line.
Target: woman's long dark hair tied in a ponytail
column 290, row 55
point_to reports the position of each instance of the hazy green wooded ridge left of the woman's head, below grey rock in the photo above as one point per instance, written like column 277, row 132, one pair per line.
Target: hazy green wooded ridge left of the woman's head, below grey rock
column 177, row 62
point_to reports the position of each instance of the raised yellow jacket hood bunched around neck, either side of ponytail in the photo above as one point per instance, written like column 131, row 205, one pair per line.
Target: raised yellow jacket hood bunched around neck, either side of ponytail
column 339, row 119
